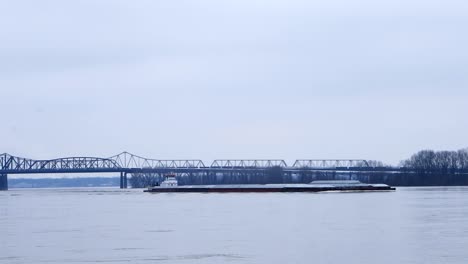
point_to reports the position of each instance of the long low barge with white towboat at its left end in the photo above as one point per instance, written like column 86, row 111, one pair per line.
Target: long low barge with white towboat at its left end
column 170, row 185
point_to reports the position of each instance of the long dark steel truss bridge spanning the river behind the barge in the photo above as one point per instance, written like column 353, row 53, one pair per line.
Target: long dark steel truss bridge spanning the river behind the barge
column 127, row 163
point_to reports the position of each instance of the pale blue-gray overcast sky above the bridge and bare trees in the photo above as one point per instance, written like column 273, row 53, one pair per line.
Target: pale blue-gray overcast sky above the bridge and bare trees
column 233, row 79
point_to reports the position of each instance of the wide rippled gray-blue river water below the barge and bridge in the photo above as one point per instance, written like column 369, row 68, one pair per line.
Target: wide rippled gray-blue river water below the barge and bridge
column 411, row 225
